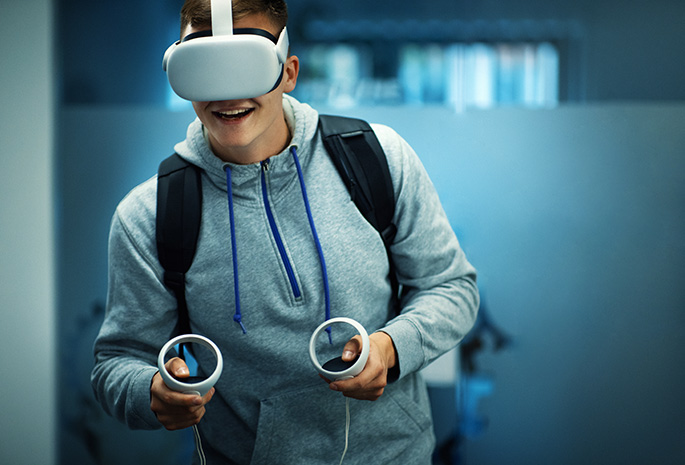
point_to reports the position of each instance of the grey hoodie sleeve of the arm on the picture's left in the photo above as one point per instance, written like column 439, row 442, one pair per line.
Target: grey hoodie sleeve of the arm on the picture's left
column 139, row 318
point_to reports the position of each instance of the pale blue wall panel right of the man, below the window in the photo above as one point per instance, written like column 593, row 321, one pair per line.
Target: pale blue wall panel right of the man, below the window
column 575, row 219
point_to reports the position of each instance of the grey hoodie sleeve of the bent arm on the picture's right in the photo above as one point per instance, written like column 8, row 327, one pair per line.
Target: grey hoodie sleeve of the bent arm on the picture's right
column 440, row 299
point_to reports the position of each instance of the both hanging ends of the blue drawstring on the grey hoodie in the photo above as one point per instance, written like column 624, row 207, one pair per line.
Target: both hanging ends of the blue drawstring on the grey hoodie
column 237, row 317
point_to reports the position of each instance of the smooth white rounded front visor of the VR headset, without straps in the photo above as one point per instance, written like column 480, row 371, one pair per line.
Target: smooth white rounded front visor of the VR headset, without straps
column 227, row 67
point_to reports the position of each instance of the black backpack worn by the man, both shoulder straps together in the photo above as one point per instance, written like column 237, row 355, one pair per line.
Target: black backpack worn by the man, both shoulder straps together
column 355, row 152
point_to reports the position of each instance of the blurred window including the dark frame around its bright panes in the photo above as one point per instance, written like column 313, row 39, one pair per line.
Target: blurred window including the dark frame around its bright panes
column 449, row 62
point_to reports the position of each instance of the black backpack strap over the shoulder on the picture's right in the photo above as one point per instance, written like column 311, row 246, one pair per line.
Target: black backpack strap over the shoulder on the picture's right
column 363, row 166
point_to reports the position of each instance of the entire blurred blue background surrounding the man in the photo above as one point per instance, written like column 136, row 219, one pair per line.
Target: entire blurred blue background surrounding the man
column 554, row 132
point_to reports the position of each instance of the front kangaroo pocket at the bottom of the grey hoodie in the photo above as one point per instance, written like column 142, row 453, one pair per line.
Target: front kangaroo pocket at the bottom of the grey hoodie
column 308, row 427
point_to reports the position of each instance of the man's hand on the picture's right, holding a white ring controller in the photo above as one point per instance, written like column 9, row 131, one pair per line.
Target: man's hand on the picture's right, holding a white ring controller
column 371, row 382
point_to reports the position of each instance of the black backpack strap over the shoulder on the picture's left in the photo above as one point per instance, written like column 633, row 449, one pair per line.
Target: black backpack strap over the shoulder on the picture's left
column 179, row 210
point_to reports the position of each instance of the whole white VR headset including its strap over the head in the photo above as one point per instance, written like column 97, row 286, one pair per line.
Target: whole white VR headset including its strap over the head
column 226, row 64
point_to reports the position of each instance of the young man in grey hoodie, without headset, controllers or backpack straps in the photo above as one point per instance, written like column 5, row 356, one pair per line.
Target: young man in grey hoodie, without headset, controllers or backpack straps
column 266, row 155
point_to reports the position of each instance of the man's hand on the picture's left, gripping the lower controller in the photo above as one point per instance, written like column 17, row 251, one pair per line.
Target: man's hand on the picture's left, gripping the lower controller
column 176, row 410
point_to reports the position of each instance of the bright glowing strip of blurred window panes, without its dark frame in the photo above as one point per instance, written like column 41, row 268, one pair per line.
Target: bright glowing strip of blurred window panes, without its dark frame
column 458, row 75
